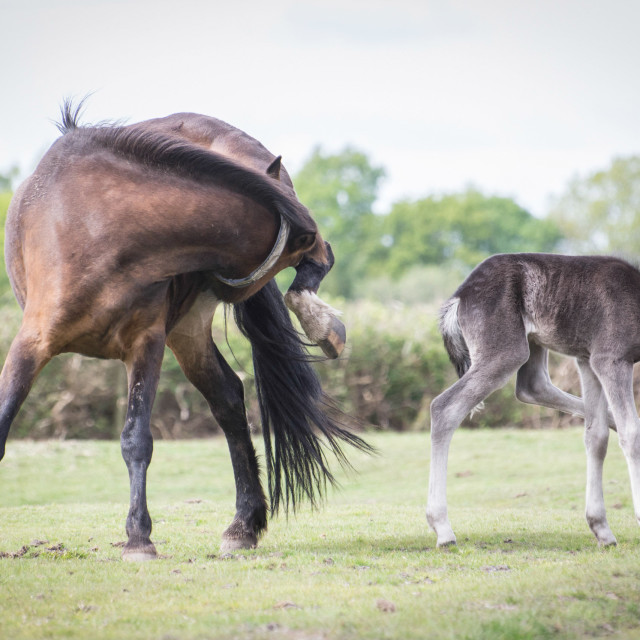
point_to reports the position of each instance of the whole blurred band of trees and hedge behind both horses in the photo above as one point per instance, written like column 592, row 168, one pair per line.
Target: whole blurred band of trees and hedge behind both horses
column 392, row 272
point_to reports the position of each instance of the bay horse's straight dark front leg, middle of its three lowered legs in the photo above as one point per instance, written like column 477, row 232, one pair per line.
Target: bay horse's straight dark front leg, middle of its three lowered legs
column 143, row 370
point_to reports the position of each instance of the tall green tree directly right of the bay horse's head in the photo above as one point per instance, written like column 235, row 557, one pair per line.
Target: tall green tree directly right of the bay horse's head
column 340, row 190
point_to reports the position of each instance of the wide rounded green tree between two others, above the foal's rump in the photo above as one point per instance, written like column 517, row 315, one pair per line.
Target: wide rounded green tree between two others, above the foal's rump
column 461, row 228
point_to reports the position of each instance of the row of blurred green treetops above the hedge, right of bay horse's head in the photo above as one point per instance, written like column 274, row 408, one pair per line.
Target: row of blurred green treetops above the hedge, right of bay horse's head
column 599, row 213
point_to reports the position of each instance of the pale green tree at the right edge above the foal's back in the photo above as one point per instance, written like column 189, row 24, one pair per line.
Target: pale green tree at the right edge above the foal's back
column 600, row 213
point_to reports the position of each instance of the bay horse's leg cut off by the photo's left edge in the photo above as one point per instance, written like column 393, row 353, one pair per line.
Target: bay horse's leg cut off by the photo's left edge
column 23, row 363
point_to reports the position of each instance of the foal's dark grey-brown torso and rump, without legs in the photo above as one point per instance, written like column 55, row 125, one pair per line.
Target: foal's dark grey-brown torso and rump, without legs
column 576, row 305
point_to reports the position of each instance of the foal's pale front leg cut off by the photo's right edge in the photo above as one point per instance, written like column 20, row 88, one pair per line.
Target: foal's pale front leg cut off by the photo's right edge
column 617, row 379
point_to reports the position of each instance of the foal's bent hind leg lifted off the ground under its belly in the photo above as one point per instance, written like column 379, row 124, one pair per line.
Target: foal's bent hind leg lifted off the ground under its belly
column 534, row 386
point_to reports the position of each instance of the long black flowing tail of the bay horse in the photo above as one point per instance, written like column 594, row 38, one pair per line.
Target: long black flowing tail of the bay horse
column 292, row 404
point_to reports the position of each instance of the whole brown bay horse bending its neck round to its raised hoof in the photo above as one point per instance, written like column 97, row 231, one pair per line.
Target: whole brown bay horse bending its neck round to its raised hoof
column 125, row 239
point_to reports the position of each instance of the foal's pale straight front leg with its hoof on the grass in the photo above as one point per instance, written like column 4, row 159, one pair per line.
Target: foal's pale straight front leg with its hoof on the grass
column 596, row 439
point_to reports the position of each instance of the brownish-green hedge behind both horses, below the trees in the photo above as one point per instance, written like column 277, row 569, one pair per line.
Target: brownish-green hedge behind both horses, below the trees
column 394, row 365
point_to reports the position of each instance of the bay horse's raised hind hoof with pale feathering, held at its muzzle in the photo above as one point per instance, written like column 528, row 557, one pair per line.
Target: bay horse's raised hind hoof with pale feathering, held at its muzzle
column 318, row 320
